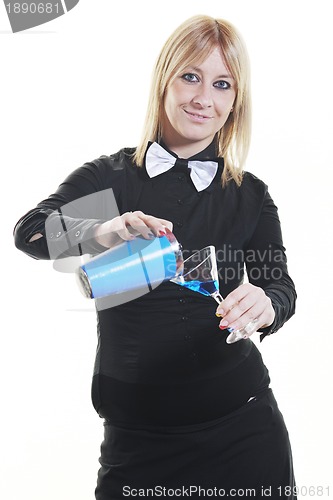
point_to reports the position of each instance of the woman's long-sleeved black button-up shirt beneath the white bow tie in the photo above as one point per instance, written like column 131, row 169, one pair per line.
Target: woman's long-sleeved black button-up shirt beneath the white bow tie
column 161, row 358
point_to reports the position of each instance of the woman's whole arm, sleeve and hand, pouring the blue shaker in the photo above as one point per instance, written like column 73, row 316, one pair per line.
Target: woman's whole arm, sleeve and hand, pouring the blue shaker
column 83, row 216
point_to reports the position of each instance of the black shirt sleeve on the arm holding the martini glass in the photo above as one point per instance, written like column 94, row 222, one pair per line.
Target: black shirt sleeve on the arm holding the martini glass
column 266, row 265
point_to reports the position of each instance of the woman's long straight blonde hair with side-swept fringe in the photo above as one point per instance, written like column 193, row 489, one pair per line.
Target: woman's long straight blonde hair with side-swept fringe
column 191, row 43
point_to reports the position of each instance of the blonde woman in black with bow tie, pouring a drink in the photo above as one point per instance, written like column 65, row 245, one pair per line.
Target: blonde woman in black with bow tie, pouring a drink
column 184, row 411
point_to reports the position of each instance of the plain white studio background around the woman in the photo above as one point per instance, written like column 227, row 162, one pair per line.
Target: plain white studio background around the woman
column 76, row 88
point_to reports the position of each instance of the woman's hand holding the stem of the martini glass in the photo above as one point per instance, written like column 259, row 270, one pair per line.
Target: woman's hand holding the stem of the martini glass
column 243, row 305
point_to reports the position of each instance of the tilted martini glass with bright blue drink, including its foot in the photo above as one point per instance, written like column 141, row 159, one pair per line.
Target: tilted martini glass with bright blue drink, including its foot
column 199, row 274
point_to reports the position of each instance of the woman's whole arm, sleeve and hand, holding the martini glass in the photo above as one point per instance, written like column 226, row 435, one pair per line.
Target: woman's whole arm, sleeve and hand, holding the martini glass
column 270, row 294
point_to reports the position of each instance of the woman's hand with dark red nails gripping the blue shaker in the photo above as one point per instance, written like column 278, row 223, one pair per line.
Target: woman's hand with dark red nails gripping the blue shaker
column 128, row 226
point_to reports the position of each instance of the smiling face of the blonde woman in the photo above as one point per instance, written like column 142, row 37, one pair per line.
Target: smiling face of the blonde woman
column 197, row 105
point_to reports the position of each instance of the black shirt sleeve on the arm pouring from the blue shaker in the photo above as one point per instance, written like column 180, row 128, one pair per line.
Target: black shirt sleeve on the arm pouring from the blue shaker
column 67, row 218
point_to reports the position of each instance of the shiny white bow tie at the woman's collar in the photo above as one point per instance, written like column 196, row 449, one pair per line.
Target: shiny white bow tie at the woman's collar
column 158, row 161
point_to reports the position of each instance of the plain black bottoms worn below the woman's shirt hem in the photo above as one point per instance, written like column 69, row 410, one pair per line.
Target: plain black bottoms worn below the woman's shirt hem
column 244, row 454
